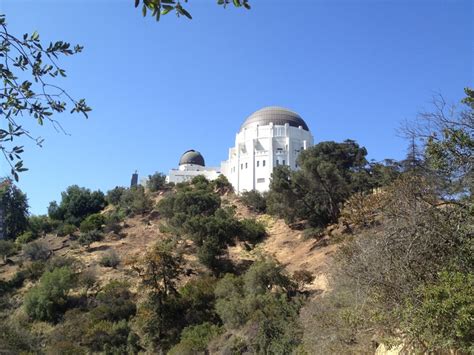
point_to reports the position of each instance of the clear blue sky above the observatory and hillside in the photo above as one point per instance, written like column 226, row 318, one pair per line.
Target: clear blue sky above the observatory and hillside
column 352, row 69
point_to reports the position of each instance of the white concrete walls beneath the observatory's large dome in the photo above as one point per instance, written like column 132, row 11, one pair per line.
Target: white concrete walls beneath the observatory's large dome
column 258, row 150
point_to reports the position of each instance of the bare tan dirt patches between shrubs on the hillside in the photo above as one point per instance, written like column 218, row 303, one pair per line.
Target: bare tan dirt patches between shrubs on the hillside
column 140, row 233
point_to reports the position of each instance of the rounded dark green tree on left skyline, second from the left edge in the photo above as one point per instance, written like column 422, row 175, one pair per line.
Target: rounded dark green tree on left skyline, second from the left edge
column 76, row 204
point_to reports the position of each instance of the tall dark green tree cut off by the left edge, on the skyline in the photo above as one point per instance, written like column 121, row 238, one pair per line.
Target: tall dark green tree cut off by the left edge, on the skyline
column 14, row 204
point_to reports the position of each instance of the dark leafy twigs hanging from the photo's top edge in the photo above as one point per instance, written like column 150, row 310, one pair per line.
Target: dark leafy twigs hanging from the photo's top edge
column 163, row 7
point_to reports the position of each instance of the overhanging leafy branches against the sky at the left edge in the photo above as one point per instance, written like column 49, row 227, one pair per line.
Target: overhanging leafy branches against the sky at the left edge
column 31, row 95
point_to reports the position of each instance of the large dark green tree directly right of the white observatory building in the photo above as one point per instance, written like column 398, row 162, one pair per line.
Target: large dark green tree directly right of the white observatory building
column 330, row 172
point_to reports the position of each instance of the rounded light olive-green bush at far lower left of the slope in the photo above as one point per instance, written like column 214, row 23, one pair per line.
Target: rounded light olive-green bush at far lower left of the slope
column 47, row 300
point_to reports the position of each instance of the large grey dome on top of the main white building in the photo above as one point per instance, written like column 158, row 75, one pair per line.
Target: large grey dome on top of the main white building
column 275, row 115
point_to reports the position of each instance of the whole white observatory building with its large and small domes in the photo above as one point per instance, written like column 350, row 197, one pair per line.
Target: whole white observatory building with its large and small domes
column 269, row 137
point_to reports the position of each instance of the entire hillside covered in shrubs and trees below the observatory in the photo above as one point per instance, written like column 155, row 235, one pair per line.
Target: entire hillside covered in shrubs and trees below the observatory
column 371, row 253
